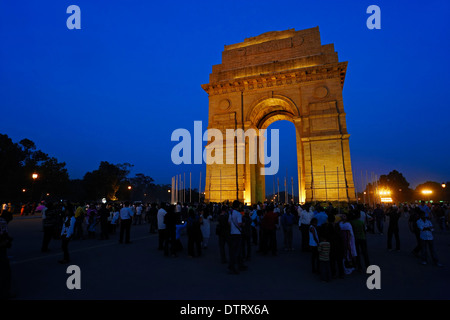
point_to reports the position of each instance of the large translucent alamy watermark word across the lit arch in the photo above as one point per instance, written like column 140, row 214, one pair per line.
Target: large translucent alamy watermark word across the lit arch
column 232, row 147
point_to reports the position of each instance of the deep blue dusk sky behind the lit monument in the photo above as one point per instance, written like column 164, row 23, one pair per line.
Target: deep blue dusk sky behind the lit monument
column 116, row 89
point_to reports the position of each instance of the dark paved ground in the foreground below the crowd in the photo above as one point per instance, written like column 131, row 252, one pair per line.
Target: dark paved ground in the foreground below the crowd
column 113, row 271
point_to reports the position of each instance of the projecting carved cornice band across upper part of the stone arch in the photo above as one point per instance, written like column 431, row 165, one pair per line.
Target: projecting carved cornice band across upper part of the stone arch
column 277, row 79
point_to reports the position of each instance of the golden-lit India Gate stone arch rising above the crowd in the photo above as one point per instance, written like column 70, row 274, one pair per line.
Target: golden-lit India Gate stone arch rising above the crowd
column 281, row 75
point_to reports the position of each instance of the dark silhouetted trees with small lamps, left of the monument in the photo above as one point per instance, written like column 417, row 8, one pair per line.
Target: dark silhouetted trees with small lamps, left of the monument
column 27, row 174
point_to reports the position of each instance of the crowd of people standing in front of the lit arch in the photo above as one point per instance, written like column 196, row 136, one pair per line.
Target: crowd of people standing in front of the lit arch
column 334, row 237
